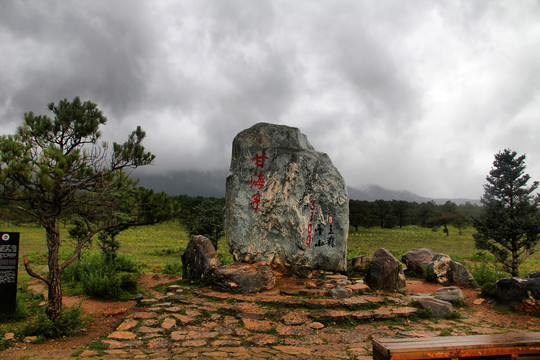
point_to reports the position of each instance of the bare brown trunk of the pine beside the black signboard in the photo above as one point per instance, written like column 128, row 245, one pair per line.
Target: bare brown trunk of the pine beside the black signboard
column 54, row 306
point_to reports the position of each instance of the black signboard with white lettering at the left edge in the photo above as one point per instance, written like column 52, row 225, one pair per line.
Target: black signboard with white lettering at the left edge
column 9, row 259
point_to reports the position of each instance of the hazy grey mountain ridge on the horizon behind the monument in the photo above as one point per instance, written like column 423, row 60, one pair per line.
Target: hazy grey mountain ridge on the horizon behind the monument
column 212, row 183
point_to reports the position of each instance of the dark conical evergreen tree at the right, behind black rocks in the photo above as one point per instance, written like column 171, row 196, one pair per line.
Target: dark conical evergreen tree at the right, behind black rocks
column 510, row 225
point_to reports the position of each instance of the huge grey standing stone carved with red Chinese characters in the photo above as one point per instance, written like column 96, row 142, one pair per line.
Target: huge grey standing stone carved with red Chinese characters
column 286, row 204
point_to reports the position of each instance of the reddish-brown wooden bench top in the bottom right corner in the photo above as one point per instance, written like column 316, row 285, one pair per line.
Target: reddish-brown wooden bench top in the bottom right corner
column 500, row 346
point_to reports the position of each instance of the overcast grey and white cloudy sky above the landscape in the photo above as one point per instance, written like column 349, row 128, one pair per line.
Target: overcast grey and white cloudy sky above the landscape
column 409, row 95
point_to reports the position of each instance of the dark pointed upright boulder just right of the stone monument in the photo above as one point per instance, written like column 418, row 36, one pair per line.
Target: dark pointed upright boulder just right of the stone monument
column 385, row 272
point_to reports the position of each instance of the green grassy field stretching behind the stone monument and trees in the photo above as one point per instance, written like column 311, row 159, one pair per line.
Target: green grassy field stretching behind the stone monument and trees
column 162, row 244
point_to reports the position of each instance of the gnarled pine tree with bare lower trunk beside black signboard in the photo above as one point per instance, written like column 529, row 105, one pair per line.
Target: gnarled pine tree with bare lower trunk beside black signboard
column 56, row 169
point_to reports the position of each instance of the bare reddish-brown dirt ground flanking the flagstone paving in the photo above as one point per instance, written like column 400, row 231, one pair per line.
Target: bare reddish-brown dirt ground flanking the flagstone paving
column 104, row 317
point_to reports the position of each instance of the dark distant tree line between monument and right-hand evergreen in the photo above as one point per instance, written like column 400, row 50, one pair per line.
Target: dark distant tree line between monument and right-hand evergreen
column 399, row 213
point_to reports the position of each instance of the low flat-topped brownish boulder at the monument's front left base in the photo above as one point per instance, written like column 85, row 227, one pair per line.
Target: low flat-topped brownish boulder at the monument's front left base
column 242, row 278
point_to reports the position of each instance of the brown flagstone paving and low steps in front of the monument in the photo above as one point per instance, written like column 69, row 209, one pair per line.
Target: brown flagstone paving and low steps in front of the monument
column 187, row 323
